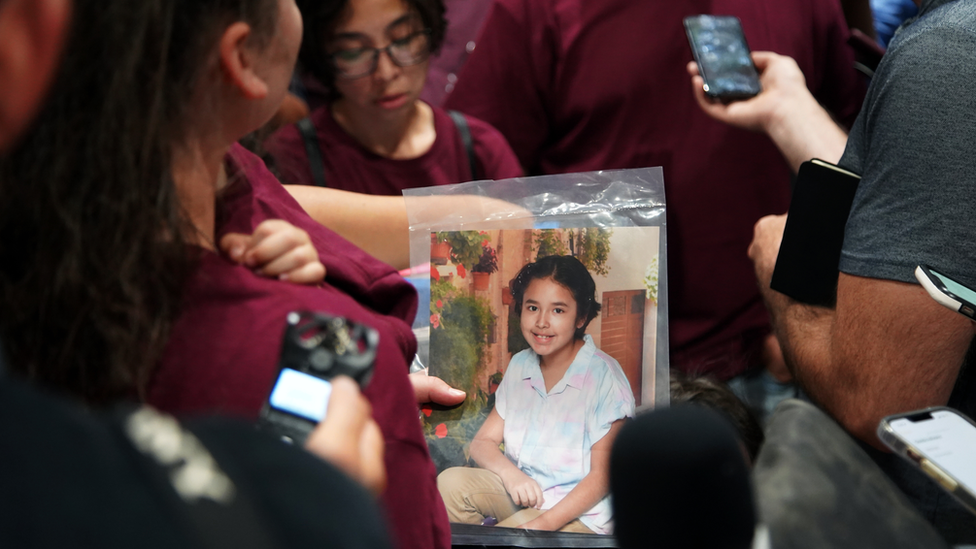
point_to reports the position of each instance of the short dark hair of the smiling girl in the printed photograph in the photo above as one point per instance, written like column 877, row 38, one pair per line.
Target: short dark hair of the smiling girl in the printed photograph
column 568, row 272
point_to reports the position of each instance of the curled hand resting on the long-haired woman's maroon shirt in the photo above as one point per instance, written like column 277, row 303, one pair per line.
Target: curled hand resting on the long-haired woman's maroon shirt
column 276, row 249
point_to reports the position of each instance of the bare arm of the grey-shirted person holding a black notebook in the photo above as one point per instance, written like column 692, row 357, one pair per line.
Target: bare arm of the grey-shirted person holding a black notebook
column 887, row 347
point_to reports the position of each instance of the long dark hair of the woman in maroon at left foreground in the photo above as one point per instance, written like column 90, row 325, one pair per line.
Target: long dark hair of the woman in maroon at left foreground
column 93, row 256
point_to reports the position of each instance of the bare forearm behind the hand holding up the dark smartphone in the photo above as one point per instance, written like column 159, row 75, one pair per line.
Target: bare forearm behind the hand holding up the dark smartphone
column 803, row 129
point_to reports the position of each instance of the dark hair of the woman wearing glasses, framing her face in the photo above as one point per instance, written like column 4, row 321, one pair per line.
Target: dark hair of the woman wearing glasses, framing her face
column 321, row 17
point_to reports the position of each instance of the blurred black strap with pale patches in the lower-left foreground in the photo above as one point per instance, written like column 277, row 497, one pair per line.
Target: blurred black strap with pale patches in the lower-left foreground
column 215, row 510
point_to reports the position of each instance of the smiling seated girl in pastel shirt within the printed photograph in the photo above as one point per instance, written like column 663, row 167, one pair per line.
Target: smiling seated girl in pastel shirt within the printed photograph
column 557, row 411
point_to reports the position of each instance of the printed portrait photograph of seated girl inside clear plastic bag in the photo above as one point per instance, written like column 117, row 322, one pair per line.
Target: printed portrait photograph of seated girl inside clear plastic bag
column 552, row 334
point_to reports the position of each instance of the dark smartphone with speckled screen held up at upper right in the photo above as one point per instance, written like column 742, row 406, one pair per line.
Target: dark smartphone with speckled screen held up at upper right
column 723, row 57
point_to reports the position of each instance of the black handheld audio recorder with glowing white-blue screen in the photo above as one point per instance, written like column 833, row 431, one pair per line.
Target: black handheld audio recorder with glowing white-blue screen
column 315, row 348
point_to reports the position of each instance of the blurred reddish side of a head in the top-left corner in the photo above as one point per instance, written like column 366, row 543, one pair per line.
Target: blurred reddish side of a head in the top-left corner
column 31, row 35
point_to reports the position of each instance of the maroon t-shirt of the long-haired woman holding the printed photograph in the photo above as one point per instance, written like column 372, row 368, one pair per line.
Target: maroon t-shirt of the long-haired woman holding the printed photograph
column 223, row 351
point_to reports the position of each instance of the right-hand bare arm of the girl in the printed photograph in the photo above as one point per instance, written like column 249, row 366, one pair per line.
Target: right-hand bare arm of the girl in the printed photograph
column 594, row 487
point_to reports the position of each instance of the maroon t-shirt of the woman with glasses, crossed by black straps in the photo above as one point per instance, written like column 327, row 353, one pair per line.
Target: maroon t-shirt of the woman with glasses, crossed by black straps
column 350, row 167
